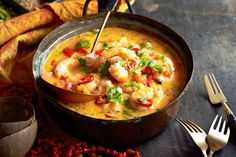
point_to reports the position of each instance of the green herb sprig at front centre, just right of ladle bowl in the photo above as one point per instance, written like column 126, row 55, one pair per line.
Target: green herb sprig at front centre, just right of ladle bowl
column 114, row 95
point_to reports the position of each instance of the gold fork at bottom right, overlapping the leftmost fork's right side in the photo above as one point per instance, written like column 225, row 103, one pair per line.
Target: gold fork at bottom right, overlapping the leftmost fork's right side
column 218, row 136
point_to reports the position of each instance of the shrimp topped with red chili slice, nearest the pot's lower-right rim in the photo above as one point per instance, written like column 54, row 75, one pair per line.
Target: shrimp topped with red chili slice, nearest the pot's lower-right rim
column 142, row 99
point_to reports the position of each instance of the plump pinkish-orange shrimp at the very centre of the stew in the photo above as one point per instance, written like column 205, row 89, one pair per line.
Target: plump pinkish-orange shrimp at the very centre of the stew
column 119, row 72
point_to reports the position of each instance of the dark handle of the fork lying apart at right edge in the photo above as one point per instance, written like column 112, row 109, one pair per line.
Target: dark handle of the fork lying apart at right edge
column 230, row 116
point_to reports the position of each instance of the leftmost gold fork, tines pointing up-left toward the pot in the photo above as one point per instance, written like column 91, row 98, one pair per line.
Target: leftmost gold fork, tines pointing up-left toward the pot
column 198, row 134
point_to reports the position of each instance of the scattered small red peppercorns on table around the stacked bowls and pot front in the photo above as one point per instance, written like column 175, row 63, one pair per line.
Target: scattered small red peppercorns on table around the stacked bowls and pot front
column 58, row 147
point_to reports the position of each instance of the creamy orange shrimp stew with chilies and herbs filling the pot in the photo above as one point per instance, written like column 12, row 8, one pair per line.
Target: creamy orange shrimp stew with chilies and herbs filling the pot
column 134, row 72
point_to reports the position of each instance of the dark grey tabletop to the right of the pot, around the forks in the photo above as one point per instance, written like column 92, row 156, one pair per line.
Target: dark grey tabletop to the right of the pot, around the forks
column 209, row 28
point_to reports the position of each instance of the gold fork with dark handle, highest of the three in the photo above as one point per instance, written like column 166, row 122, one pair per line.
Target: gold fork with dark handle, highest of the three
column 216, row 96
